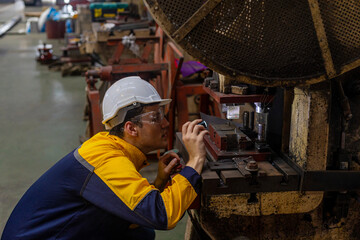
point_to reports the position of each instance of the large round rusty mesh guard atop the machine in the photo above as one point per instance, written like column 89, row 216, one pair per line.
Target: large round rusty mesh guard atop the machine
column 269, row 43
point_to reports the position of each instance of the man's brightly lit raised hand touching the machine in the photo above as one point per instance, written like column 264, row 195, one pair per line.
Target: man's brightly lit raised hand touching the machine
column 193, row 138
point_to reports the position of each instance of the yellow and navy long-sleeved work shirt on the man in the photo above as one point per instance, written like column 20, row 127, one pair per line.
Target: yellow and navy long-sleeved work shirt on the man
column 97, row 192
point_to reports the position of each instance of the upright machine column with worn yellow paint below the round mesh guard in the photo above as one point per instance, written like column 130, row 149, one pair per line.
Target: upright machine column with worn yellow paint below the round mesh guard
column 309, row 130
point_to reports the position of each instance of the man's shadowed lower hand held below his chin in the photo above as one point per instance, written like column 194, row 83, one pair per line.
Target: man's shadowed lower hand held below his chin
column 168, row 164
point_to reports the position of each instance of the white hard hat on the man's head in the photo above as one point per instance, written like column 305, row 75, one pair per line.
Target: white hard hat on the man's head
column 126, row 94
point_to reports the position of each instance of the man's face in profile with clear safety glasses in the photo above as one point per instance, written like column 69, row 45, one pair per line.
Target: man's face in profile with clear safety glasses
column 153, row 134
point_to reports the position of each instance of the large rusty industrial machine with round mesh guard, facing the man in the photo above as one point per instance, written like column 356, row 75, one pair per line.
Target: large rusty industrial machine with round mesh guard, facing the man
column 297, row 178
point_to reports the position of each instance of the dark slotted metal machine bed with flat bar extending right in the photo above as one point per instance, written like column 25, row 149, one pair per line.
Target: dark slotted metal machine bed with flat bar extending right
column 279, row 174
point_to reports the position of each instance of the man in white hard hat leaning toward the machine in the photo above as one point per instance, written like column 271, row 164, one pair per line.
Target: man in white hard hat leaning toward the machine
column 97, row 192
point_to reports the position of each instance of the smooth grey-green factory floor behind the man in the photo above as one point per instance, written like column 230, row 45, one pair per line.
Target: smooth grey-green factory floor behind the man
column 41, row 119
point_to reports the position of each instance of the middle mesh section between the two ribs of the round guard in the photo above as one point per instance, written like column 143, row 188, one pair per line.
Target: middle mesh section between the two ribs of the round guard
column 257, row 39
